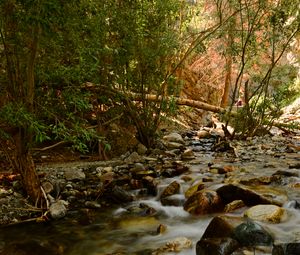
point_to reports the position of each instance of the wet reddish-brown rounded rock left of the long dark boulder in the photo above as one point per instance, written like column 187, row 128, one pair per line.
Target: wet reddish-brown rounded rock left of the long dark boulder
column 204, row 202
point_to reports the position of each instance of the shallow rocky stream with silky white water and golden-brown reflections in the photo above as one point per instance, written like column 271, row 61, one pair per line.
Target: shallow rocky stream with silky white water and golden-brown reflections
column 113, row 230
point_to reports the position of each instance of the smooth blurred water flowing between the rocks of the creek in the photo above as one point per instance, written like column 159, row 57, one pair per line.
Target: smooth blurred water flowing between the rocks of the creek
column 113, row 231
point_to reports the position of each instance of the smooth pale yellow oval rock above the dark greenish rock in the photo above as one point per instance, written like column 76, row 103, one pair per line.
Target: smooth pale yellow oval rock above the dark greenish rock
column 266, row 213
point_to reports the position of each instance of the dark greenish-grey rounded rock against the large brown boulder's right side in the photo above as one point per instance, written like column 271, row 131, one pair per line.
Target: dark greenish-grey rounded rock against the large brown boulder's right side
column 252, row 234
